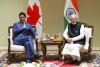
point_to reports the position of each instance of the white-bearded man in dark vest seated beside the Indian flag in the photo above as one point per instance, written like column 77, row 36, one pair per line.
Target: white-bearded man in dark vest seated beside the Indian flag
column 74, row 35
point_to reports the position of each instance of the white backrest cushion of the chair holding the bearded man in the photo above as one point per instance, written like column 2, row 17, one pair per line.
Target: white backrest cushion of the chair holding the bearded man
column 88, row 34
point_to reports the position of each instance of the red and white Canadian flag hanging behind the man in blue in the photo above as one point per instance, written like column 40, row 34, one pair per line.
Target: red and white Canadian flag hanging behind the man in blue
column 34, row 15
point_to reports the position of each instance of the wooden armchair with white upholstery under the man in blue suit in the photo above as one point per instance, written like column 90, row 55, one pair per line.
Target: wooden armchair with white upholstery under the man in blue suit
column 16, row 50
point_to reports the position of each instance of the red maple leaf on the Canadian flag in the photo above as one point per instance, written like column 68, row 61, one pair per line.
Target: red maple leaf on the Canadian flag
column 33, row 14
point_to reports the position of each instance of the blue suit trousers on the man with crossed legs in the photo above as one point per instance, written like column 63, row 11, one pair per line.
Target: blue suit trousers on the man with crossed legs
column 28, row 44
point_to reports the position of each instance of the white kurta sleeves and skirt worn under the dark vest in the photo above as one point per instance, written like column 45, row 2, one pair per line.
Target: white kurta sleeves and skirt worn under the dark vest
column 71, row 48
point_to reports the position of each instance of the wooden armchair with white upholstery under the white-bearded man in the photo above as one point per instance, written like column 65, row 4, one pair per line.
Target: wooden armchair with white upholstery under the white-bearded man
column 87, row 49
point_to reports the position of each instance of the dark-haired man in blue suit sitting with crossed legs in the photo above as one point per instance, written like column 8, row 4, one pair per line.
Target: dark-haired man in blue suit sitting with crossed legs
column 21, row 31
